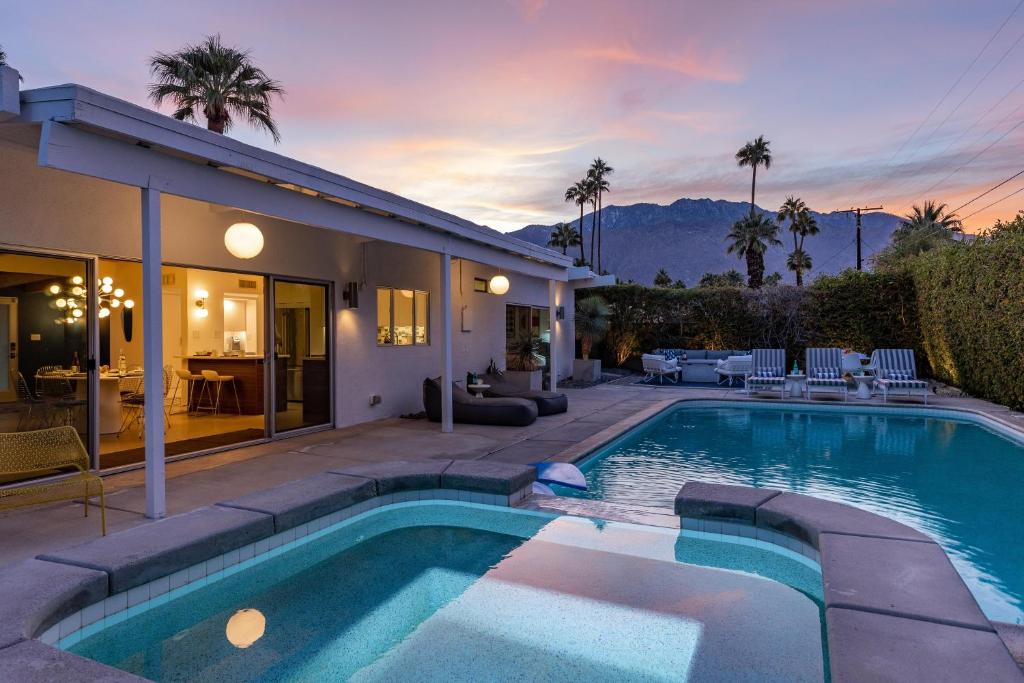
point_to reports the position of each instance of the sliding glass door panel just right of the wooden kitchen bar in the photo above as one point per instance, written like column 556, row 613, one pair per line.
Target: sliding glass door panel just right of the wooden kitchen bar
column 302, row 356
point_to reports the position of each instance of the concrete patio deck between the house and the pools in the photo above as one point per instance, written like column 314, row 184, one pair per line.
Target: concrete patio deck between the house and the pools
column 596, row 415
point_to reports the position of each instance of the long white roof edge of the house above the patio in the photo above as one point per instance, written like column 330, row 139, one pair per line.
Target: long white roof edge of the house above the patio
column 79, row 105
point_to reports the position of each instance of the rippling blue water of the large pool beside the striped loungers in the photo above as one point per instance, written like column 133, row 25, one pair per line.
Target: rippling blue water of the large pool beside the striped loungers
column 956, row 481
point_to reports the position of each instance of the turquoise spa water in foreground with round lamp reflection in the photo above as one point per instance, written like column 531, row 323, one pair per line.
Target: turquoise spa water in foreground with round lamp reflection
column 460, row 592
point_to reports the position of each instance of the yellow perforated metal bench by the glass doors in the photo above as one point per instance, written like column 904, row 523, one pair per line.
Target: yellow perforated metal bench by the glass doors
column 59, row 456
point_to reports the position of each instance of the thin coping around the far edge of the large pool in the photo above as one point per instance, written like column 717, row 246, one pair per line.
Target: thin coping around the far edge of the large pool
column 582, row 451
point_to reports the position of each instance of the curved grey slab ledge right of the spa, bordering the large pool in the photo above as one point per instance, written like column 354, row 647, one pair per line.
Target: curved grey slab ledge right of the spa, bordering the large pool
column 895, row 608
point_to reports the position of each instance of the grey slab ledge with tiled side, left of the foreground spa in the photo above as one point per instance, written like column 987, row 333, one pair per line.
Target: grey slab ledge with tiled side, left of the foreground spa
column 57, row 600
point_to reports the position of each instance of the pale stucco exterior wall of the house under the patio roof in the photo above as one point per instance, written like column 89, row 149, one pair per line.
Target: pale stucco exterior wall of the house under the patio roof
column 49, row 209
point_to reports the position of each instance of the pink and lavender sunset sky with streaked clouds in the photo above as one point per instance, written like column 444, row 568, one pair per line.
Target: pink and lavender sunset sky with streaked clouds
column 491, row 109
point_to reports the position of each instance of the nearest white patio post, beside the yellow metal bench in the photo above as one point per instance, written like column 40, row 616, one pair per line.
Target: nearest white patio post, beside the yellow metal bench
column 153, row 357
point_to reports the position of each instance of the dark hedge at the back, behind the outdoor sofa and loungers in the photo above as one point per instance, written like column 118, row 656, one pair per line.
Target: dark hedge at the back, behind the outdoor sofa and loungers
column 857, row 311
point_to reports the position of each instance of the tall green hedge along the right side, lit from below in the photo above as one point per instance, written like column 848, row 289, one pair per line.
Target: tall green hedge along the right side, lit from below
column 971, row 312
